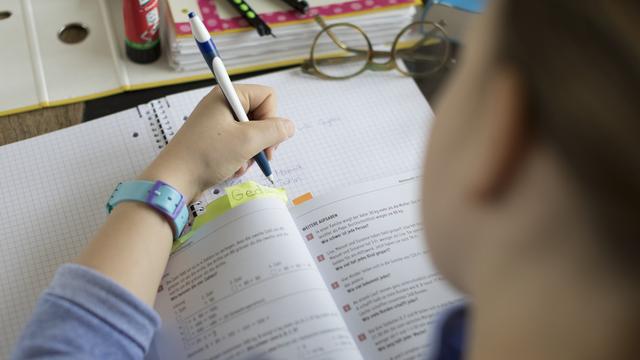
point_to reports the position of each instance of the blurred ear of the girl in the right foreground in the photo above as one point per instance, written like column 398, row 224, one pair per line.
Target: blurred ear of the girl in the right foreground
column 502, row 141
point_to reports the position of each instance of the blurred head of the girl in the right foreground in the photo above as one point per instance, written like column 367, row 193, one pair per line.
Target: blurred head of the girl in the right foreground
column 535, row 153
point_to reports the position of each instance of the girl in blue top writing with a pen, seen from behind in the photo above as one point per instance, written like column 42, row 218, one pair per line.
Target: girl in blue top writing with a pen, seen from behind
column 531, row 193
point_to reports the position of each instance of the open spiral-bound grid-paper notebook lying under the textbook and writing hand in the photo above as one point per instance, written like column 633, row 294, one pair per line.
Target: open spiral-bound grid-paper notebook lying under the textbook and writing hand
column 54, row 187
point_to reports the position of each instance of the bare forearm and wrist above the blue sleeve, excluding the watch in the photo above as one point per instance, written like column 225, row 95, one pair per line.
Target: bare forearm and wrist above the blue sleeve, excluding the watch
column 134, row 244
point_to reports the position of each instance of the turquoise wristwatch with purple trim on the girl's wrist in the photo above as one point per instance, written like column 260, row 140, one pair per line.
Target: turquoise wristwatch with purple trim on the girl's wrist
column 159, row 195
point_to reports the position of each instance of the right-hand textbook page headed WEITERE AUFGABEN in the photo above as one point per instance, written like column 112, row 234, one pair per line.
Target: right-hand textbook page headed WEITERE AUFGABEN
column 367, row 242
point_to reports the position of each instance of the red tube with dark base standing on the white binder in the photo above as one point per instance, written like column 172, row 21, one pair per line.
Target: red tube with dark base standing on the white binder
column 141, row 27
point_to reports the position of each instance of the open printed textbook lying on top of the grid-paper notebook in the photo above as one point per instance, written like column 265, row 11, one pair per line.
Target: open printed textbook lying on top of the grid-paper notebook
column 343, row 276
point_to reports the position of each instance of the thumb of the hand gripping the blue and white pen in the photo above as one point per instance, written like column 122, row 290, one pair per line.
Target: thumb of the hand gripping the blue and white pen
column 267, row 132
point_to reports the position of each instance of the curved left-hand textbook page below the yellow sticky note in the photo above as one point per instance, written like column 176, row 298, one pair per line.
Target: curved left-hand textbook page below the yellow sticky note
column 244, row 286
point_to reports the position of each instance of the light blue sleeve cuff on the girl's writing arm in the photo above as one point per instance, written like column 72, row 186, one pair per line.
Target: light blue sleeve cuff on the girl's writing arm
column 85, row 315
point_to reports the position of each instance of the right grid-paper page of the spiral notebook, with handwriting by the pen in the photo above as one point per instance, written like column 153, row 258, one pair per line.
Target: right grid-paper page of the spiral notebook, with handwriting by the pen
column 347, row 132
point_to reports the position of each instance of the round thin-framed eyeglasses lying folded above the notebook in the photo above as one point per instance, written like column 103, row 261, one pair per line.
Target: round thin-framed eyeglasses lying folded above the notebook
column 343, row 50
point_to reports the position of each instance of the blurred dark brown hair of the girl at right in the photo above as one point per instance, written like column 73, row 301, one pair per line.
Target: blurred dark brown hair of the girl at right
column 580, row 61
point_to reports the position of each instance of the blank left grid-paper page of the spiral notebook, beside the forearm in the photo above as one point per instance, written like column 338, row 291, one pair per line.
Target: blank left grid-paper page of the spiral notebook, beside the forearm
column 54, row 190
